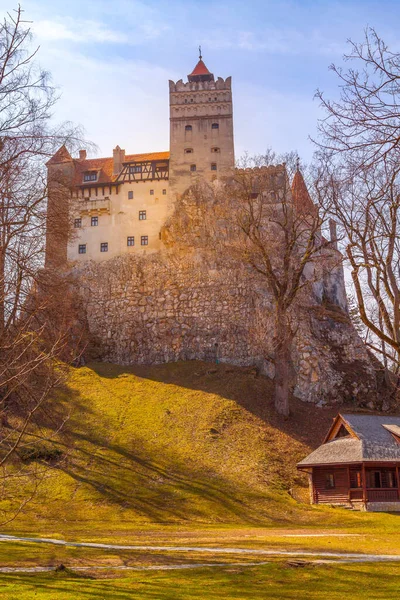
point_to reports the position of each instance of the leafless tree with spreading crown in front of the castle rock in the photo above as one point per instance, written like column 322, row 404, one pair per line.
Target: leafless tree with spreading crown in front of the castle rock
column 252, row 218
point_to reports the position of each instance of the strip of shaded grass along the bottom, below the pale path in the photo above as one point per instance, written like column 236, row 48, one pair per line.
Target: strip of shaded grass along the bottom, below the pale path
column 359, row 582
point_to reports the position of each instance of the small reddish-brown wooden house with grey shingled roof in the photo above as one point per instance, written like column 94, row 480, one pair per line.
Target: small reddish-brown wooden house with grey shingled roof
column 358, row 464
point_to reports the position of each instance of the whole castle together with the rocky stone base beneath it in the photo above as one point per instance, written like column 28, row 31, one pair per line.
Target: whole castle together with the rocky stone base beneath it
column 143, row 304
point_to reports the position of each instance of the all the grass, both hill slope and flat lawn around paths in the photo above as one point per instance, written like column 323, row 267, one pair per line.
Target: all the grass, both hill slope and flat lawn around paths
column 185, row 454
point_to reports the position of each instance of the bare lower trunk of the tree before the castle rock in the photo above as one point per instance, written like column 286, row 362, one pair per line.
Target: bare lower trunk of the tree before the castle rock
column 282, row 363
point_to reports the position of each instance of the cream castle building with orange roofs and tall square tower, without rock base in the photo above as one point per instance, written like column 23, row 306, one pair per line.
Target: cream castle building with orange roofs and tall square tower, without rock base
column 122, row 202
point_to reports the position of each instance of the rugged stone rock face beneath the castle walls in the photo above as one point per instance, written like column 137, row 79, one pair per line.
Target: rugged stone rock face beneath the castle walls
column 164, row 308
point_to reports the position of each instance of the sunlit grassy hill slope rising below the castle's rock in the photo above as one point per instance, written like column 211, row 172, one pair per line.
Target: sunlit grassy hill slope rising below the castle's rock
column 185, row 442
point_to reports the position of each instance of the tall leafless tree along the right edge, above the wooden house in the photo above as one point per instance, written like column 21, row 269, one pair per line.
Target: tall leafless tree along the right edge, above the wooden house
column 359, row 154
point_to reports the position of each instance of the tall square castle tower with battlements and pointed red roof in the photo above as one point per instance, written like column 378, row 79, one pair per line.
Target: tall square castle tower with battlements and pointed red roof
column 201, row 129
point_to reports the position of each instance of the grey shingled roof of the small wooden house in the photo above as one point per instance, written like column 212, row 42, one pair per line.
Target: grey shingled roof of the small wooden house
column 371, row 438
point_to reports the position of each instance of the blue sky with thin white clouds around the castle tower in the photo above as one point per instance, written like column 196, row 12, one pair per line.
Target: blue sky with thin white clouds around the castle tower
column 112, row 62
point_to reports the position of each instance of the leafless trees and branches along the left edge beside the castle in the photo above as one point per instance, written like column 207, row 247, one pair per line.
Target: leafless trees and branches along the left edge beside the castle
column 30, row 346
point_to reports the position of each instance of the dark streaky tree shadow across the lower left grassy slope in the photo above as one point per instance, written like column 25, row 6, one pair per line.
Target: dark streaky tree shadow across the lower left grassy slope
column 162, row 486
